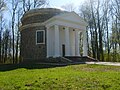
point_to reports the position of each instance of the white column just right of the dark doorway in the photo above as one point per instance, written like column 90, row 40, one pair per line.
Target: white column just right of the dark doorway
column 67, row 42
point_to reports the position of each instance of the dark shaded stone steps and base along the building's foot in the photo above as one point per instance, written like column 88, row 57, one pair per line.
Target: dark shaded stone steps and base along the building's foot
column 62, row 60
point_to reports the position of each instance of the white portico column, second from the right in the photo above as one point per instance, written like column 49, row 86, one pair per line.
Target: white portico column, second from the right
column 77, row 43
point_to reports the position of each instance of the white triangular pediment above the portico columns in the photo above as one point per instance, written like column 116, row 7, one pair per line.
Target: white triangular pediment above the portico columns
column 70, row 19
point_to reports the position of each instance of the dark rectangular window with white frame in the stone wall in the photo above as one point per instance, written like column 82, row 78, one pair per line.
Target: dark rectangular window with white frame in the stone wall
column 40, row 37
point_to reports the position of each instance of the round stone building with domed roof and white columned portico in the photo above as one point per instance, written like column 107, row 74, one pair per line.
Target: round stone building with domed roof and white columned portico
column 50, row 32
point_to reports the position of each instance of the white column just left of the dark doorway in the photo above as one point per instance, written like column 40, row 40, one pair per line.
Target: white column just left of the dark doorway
column 57, row 48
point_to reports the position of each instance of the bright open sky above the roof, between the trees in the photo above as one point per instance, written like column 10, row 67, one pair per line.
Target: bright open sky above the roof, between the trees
column 59, row 3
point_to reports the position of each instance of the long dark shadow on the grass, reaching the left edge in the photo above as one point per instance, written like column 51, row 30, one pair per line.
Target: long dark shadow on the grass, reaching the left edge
column 8, row 67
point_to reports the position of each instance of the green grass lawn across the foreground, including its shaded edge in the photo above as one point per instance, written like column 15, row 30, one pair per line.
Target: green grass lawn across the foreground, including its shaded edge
column 73, row 77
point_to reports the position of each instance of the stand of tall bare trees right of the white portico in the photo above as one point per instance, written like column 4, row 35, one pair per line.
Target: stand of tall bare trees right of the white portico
column 99, row 16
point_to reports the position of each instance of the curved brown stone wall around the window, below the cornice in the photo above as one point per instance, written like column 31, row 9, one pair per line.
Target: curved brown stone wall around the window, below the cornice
column 29, row 48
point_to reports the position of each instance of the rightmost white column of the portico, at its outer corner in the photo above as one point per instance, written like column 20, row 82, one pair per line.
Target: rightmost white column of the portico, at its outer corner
column 85, row 48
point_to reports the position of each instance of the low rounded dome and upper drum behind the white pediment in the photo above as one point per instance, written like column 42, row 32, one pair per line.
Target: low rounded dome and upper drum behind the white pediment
column 40, row 15
